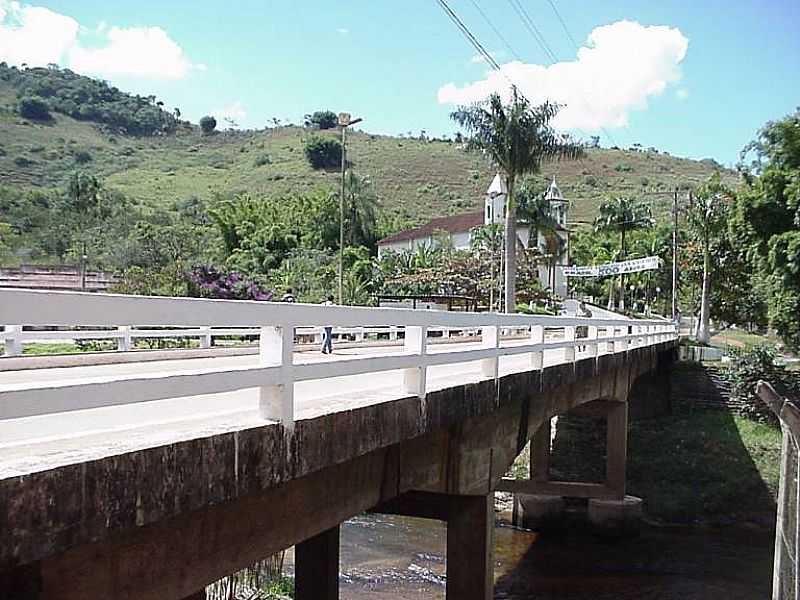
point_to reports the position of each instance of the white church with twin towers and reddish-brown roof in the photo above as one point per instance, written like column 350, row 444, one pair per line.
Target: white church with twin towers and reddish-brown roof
column 459, row 228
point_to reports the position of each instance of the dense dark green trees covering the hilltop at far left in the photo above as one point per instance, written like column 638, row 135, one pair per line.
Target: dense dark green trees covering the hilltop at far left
column 60, row 90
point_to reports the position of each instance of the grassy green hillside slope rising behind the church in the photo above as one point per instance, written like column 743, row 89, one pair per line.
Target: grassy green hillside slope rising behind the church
column 417, row 179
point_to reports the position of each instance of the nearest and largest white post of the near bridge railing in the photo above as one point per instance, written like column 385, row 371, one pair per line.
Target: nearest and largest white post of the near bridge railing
column 276, row 402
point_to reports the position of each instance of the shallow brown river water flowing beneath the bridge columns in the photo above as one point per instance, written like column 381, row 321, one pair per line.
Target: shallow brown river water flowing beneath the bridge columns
column 385, row 557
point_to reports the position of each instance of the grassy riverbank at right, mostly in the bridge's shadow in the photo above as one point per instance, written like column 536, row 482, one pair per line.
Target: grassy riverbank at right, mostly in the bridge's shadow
column 708, row 466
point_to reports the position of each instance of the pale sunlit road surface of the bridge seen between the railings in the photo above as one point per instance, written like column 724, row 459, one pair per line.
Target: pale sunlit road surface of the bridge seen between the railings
column 42, row 442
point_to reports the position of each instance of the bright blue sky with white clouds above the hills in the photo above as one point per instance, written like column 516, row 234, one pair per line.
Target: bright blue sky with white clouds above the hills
column 696, row 79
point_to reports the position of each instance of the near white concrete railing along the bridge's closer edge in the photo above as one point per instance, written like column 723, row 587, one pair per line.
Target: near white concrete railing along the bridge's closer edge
column 276, row 370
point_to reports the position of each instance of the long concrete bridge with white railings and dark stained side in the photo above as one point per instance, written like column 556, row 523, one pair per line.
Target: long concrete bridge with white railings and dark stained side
column 151, row 480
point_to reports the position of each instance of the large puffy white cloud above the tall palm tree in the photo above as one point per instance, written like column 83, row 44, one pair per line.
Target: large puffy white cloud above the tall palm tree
column 619, row 68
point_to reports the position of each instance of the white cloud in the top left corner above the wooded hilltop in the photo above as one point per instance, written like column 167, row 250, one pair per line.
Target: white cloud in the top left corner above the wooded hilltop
column 37, row 36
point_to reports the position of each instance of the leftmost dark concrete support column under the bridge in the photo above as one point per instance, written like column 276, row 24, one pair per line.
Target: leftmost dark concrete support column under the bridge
column 317, row 567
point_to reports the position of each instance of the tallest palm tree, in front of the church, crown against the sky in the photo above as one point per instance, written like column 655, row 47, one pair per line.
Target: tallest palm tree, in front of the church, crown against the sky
column 518, row 138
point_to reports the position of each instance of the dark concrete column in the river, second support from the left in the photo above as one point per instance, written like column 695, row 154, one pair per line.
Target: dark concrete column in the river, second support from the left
column 470, row 548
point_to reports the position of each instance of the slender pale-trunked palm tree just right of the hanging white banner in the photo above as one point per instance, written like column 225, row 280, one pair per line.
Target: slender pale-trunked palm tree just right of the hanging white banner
column 707, row 218
